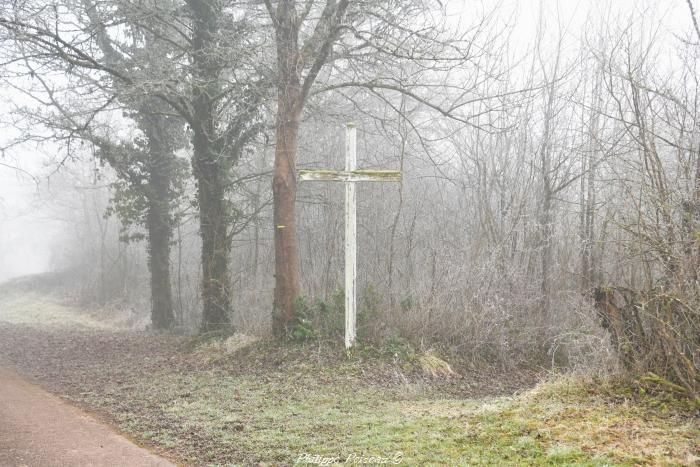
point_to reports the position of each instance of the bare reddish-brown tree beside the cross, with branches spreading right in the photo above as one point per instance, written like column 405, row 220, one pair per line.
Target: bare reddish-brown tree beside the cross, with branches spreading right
column 338, row 45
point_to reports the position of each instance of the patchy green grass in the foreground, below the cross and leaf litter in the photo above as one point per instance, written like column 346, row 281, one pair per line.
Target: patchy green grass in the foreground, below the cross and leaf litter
column 243, row 420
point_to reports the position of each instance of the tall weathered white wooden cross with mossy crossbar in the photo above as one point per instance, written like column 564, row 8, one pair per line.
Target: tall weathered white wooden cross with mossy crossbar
column 349, row 176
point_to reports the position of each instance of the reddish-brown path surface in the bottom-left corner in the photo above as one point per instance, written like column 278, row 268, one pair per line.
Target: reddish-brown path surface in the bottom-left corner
column 38, row 429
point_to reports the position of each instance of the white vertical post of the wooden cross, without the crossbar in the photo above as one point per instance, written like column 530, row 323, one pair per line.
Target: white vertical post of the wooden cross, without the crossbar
column 350, row 238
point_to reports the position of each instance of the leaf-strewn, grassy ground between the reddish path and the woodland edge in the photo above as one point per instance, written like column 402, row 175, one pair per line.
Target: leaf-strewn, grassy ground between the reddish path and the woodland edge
column 274, row 404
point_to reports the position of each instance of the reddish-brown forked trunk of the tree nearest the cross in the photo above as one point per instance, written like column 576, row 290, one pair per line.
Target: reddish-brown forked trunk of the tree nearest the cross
column 292, row 61
